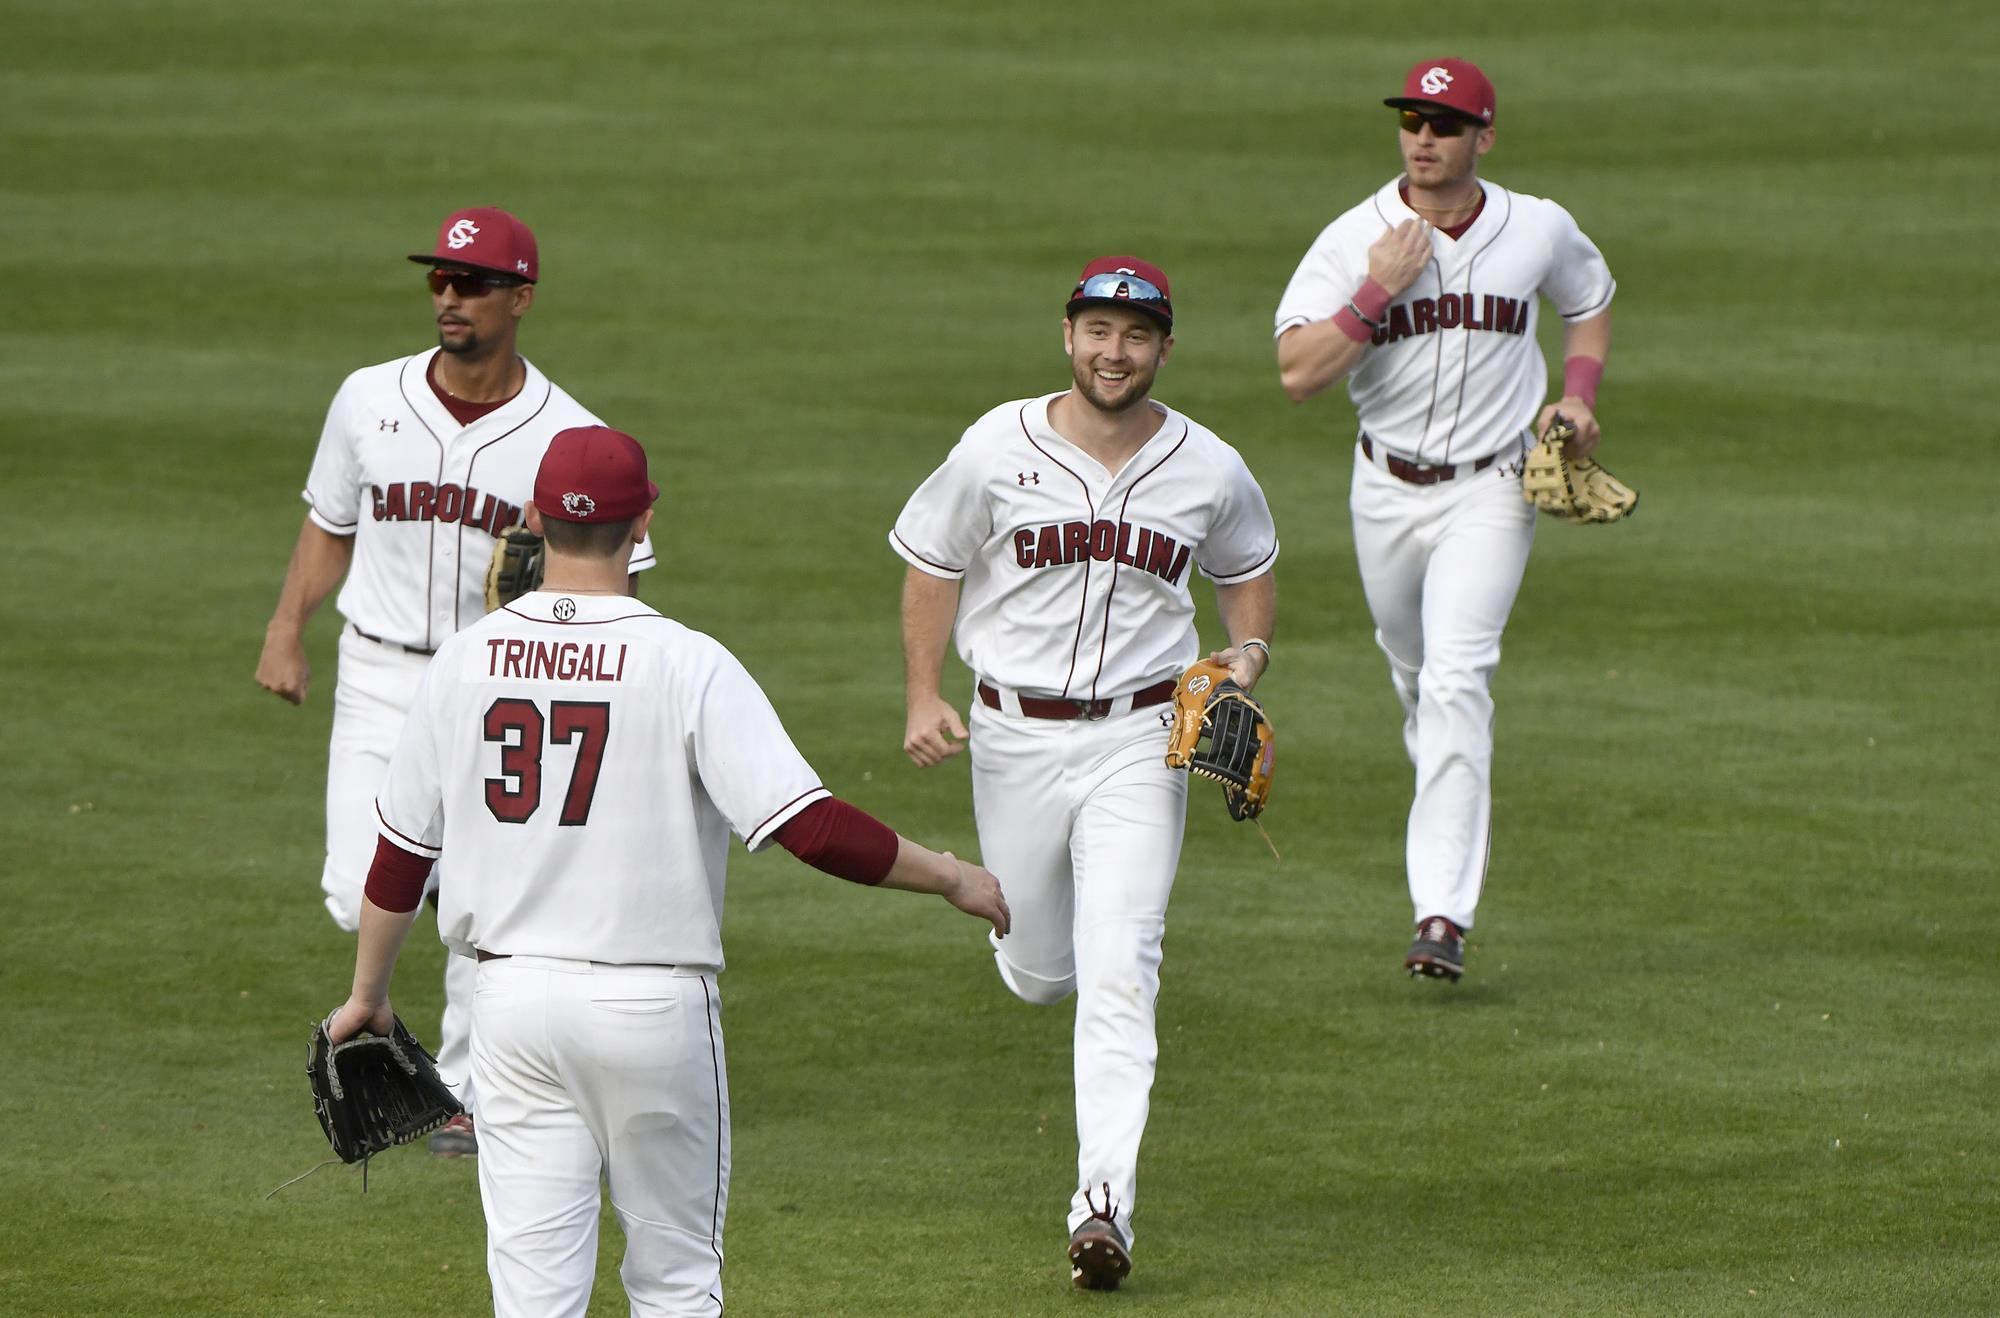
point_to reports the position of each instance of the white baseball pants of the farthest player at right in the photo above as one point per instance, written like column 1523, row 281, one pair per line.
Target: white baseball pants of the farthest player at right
column 1441, row 567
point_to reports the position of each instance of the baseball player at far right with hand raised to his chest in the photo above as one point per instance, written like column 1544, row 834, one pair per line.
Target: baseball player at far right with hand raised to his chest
column 1425, row 299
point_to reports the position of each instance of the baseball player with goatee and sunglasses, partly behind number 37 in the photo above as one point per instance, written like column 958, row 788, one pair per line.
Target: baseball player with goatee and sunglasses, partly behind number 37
column 421, row 465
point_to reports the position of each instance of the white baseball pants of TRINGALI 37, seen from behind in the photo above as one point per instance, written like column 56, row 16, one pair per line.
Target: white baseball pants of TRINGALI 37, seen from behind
column 593, row 1071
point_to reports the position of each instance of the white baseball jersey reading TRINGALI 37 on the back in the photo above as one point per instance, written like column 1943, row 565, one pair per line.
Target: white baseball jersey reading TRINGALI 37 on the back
column 581, row 763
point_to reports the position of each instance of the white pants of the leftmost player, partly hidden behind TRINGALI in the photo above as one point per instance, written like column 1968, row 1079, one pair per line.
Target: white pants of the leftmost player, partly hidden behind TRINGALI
column 373, row 691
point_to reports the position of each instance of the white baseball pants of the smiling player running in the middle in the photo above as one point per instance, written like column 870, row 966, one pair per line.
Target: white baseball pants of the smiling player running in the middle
column 1083, row 825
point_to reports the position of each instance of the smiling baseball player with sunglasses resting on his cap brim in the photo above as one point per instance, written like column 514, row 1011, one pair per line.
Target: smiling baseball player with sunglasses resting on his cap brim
column 1059, row 543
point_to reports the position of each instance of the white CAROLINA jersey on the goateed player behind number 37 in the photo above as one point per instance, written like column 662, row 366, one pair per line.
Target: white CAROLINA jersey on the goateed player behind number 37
column 425, row 497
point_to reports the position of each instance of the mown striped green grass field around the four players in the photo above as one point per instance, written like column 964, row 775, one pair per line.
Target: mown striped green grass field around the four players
column 1727, row 1037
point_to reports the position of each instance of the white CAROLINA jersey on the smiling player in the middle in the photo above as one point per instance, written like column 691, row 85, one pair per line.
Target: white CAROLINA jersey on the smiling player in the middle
column 1075, row 579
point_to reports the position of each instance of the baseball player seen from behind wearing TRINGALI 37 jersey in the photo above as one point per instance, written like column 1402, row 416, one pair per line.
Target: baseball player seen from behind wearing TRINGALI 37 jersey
column 581, row 763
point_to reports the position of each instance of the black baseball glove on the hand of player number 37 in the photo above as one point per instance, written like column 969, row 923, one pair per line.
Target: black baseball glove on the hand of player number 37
column 375, row 1093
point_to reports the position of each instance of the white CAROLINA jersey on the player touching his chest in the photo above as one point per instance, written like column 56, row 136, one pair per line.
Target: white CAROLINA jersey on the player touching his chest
column 1455, row 375
